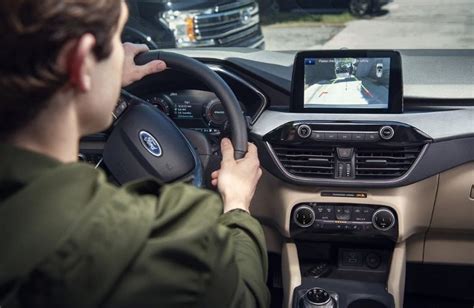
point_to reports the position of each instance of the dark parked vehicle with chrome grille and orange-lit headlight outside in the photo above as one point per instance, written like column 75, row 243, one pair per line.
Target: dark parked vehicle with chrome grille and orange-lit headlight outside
column 194, row 23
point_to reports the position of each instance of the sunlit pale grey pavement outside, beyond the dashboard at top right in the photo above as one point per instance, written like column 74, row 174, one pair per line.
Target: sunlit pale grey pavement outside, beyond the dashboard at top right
column 416, row 24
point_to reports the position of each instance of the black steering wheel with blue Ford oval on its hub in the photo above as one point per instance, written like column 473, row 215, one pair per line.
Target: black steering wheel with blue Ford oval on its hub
column 145, row 143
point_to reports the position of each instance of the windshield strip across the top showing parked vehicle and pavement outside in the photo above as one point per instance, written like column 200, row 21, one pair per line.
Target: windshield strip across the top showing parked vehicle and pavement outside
column 303, row 24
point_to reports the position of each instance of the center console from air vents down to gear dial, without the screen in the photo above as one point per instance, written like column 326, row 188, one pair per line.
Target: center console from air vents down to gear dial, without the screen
column 344, row 241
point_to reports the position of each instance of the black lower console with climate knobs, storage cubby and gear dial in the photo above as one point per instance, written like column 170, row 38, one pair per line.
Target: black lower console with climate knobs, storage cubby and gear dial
column 344, row 254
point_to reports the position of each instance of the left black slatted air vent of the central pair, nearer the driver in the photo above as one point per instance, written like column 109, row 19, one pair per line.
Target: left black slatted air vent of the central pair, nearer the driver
column 311, row 162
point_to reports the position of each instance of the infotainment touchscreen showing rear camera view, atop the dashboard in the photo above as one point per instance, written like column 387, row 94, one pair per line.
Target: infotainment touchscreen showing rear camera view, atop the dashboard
column 347, row 81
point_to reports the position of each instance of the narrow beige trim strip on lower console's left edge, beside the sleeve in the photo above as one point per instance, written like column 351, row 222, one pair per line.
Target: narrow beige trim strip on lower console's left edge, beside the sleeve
column 291, row 276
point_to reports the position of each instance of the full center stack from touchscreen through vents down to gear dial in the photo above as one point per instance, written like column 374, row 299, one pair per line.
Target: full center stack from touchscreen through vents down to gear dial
column 343, row 248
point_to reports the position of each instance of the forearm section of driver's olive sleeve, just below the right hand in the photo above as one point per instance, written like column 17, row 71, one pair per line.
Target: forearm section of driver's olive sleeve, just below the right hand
column 243, row 264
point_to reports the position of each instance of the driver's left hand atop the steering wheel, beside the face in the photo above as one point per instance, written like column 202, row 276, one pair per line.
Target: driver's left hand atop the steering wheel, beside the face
column 133, row 72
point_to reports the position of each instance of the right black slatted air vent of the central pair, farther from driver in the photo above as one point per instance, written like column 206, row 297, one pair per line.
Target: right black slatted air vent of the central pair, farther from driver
column 384, row 163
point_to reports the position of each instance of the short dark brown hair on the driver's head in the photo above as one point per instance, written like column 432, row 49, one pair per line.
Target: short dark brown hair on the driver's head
column 32, row 33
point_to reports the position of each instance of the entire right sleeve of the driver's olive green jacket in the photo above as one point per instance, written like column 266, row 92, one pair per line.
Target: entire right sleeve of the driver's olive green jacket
column 196, row 257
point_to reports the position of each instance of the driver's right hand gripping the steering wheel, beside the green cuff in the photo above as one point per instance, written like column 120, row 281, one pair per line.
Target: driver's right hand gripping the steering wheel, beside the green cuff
column 237, row 179
